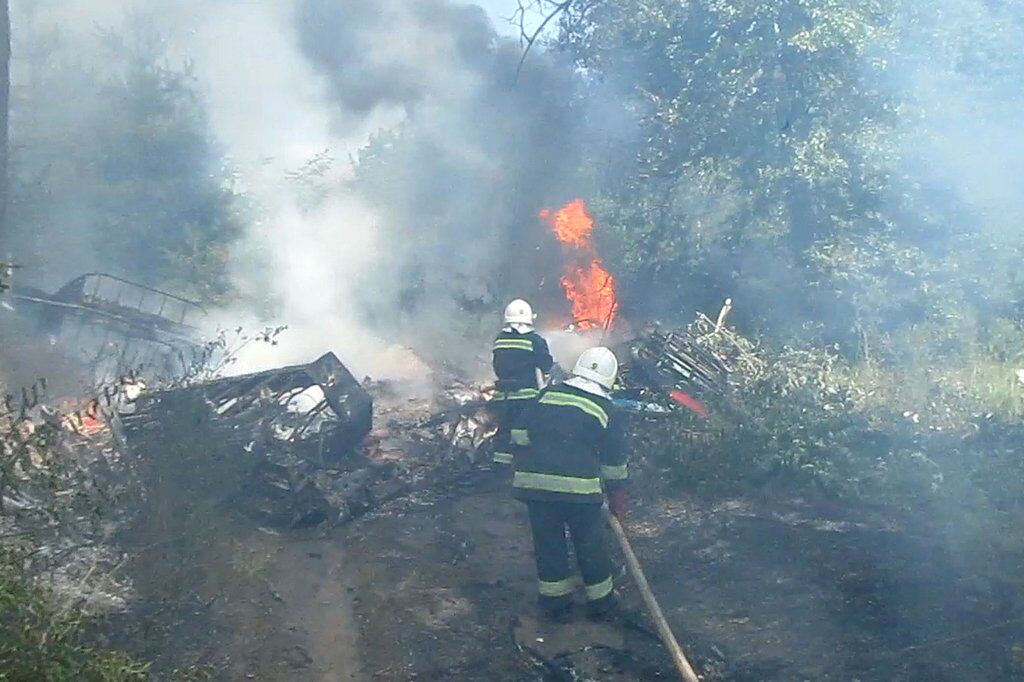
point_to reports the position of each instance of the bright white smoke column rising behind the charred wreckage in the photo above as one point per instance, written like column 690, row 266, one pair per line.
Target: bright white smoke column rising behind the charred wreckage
column 269, row 109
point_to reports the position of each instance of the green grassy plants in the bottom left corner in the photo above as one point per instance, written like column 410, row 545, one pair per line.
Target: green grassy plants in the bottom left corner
column 40, row 643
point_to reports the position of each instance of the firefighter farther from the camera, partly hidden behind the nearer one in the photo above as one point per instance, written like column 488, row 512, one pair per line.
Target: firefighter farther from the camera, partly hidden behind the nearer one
column 520, row 354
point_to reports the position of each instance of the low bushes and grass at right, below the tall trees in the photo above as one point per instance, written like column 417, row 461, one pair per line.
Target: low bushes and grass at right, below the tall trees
column 809, row 421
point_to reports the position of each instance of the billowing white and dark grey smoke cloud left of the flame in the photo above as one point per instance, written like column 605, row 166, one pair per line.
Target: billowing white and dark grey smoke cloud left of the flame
column 422, row 240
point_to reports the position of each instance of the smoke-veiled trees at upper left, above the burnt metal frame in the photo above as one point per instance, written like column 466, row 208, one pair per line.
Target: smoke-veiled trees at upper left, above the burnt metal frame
column 117, row 167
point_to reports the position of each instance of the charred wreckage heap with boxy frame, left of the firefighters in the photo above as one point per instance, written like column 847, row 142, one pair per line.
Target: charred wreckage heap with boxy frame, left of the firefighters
column 305, row 436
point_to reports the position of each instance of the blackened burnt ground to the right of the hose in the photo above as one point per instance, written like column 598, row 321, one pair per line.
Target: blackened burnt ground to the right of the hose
column 785, row 592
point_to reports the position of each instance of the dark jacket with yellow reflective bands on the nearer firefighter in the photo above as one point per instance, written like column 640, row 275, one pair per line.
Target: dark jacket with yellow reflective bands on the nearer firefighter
column 575, row 448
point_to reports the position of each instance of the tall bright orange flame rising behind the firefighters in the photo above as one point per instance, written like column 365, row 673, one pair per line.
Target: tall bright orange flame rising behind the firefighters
column 590, row 288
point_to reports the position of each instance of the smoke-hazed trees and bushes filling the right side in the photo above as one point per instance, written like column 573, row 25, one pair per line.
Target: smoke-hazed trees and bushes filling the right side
column 788, row 159
